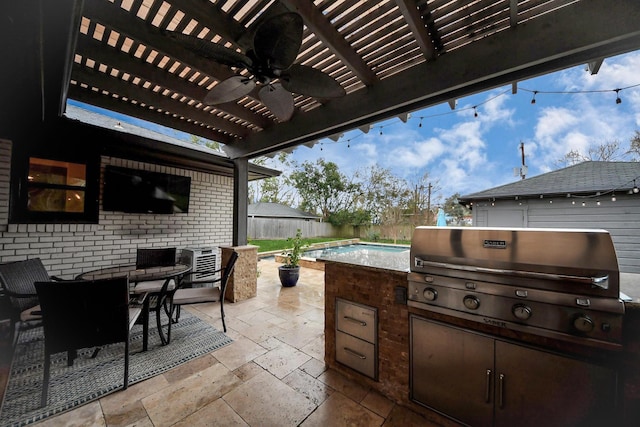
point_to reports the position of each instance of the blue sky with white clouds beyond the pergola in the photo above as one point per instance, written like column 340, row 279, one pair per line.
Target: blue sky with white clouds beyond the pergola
column 464, row 153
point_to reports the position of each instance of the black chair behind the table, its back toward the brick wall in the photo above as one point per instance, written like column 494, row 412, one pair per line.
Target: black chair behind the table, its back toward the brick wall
column 158, row 290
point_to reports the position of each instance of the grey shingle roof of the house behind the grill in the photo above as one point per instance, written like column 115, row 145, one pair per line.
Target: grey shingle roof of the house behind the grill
column 587, row 177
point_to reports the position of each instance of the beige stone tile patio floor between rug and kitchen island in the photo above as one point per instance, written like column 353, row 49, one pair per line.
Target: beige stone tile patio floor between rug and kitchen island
column 273, row 374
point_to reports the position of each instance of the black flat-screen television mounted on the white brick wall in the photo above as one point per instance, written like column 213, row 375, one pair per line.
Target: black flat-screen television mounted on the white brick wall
column 139, row 191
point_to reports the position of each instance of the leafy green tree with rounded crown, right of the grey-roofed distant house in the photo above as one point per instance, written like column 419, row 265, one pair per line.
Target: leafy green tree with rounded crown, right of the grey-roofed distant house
column 322, row 188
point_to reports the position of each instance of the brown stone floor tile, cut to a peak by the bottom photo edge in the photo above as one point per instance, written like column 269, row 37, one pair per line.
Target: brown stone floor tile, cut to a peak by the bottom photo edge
column 338, row 410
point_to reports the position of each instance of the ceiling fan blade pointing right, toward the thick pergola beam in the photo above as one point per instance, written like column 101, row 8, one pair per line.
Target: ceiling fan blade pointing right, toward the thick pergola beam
column 311, row 82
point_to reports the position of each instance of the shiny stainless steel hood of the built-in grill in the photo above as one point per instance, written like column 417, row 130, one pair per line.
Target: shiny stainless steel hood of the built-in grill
column 564, row 260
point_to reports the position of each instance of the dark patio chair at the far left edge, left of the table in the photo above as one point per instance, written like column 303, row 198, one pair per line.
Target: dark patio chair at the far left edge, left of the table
column 17, row 281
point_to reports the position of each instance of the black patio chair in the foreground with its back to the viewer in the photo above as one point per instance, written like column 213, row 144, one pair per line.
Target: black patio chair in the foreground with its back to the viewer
column 84, row 314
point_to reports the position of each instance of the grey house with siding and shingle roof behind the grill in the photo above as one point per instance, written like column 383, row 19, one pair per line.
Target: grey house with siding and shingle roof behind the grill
column 602, row 195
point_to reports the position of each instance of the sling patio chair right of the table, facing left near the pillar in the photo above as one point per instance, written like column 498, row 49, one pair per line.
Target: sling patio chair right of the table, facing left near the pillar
column 184, row 295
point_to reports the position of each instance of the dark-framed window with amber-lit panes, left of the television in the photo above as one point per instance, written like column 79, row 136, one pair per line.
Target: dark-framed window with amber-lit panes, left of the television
column 54, row 190
